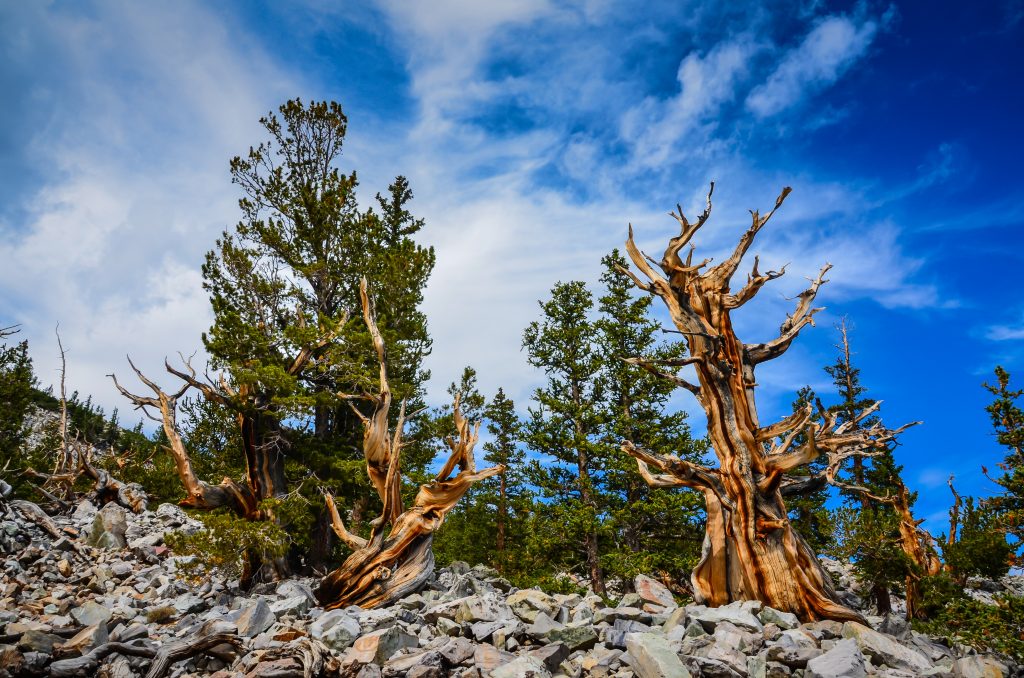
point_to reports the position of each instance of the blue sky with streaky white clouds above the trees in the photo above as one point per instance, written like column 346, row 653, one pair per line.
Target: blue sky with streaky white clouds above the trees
column 533, row 133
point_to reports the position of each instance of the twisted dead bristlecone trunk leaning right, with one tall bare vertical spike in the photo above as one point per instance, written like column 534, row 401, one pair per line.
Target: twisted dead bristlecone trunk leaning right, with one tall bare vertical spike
column 397, row 560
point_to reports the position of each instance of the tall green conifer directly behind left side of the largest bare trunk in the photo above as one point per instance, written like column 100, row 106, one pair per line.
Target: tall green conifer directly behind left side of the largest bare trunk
column 653, row 531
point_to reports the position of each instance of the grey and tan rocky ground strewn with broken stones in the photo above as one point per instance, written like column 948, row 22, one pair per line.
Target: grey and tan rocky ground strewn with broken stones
column 98, row 595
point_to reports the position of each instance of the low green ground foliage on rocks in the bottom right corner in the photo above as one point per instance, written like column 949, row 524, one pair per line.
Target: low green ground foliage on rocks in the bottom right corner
column 988, row 628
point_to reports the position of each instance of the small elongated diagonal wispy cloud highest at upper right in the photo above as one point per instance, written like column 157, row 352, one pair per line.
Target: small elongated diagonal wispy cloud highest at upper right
column 832, row 47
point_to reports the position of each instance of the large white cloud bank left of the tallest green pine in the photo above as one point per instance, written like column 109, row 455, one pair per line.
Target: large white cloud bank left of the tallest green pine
column 137, row 189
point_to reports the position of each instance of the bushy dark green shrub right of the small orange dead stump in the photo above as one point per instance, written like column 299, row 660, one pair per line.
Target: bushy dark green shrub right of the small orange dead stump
column 980, row 549
